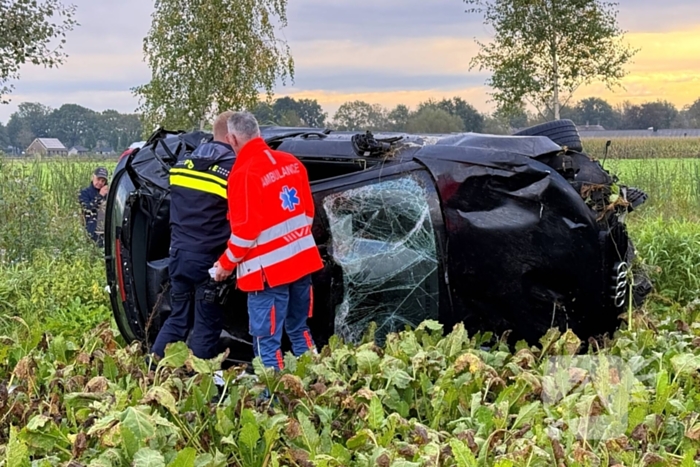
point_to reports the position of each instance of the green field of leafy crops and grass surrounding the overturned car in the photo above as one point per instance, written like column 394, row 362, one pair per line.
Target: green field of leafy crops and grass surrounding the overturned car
column 82, row 396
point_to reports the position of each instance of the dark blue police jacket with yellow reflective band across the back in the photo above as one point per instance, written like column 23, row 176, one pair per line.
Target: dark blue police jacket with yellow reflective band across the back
column 198, row 207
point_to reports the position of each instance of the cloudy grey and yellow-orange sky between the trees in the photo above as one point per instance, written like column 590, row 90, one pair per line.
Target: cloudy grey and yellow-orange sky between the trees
column 381, row 51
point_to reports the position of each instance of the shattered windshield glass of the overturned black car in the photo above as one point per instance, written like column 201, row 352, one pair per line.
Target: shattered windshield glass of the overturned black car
column 383, row 239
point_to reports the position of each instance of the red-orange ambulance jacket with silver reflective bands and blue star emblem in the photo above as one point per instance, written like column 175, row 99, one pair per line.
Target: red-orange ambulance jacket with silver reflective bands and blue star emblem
column 271, row 211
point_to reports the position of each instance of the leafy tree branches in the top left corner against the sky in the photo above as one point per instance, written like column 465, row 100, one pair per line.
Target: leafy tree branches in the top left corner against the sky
column 27, row 29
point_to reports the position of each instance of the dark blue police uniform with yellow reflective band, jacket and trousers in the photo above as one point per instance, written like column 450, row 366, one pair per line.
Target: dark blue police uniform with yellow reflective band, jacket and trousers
column 199, row 231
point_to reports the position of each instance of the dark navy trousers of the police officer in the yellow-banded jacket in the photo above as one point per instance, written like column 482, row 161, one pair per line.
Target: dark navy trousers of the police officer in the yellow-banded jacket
column 192, row 319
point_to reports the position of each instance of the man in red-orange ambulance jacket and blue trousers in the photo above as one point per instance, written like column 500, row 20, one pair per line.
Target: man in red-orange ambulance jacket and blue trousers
column 271, row 212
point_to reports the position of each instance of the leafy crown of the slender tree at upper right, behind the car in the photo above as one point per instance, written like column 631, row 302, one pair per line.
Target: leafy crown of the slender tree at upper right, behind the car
column 543, row 50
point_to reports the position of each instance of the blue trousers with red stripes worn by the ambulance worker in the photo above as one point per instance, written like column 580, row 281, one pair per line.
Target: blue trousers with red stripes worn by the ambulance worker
column 277, row 309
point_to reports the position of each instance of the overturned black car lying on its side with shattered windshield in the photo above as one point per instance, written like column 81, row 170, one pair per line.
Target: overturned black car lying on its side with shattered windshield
column 503, row 233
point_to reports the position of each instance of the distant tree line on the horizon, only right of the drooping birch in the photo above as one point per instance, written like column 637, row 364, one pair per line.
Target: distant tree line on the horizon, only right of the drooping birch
column 455, row 115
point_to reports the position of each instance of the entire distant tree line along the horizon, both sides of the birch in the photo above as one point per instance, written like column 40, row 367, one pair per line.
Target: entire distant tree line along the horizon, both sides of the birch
column 76, row 125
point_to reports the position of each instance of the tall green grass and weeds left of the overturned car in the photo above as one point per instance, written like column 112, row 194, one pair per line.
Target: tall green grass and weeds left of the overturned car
column 51, row 274
